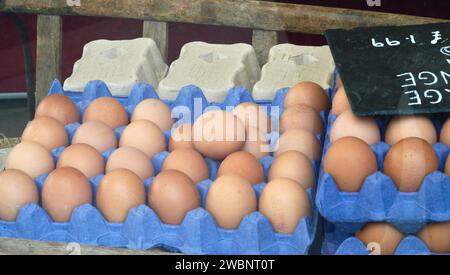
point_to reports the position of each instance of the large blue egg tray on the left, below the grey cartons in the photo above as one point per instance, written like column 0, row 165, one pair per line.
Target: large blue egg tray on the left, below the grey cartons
column 198, row 234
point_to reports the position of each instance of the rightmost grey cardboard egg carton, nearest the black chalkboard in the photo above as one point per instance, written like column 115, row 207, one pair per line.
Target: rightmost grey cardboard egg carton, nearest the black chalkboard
column 290, row 64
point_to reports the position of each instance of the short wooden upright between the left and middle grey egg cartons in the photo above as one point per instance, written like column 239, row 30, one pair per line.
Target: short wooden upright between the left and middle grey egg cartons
column 158, row 31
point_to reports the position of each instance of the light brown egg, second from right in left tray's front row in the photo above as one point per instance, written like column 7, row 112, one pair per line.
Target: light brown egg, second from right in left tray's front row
column 229, row 200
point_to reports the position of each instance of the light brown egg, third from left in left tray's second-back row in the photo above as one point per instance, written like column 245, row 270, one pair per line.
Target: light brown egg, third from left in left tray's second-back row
column 145, row 136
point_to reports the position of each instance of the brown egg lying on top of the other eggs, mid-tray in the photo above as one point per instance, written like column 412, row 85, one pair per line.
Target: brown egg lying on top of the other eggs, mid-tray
column 218, row 134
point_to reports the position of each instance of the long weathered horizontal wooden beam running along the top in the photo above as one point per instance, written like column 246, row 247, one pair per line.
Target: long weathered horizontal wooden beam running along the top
column 252, row 14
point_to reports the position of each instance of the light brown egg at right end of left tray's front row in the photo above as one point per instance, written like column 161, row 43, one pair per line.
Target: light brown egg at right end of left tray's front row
column 284, row 202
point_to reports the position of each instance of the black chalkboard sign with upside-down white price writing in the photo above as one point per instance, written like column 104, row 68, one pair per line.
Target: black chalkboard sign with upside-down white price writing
column 394, row 70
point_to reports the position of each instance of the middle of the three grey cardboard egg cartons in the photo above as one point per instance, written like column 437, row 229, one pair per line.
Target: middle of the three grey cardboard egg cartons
column 215, row 68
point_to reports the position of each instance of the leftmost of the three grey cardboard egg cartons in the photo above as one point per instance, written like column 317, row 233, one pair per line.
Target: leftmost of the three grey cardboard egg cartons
column 120, row 64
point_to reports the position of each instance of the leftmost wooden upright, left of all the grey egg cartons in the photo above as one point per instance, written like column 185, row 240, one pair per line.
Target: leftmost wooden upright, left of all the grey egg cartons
column 49, row 49
